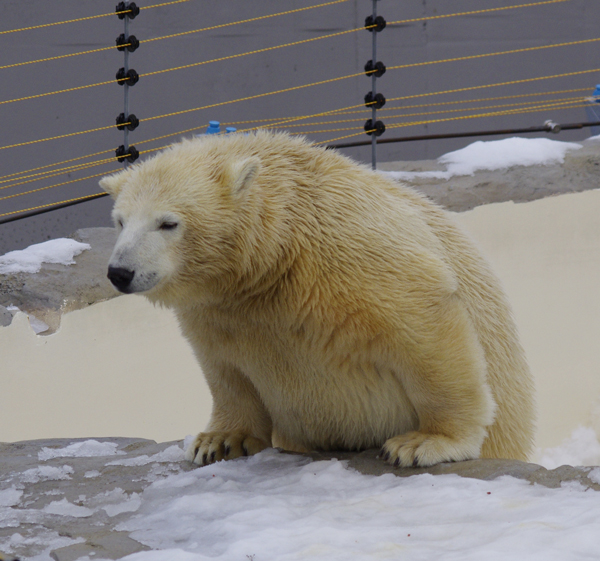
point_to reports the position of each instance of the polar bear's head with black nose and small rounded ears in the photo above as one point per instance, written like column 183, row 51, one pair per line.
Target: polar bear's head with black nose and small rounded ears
column 180, row 217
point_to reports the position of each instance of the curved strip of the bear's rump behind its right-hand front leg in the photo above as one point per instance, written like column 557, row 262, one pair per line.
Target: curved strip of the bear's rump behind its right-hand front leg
column 511, row 435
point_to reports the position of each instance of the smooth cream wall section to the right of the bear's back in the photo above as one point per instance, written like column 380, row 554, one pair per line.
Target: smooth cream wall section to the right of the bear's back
column 547, row 254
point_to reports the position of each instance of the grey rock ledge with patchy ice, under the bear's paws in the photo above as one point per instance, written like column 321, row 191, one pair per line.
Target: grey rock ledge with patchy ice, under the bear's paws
column 65, row 499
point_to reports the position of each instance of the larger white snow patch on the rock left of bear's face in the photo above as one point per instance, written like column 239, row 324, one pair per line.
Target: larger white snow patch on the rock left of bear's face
column 60, row 251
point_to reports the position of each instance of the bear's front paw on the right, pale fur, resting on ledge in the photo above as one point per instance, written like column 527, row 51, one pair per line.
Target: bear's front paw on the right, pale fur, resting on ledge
column 417, row 449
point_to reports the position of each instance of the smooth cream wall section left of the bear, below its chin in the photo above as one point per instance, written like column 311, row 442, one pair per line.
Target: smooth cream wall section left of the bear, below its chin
column 117, row 368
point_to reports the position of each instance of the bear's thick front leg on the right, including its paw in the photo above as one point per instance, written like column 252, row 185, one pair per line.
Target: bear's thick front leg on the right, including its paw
column 445, row 380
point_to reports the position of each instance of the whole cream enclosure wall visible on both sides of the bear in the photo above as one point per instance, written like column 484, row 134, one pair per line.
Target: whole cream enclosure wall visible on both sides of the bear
column 121, row 368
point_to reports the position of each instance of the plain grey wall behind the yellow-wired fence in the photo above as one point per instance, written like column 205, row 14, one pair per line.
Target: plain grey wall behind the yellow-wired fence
column 407, row 43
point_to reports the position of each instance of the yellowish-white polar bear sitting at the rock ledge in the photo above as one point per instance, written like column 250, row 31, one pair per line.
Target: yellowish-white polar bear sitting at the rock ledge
column 329, row 307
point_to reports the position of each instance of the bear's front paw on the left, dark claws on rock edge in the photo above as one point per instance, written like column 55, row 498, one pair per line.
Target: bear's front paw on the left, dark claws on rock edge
column 210, row 447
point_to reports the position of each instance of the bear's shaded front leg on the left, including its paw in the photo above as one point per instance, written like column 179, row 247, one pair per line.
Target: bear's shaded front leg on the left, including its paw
column 239, row 425
